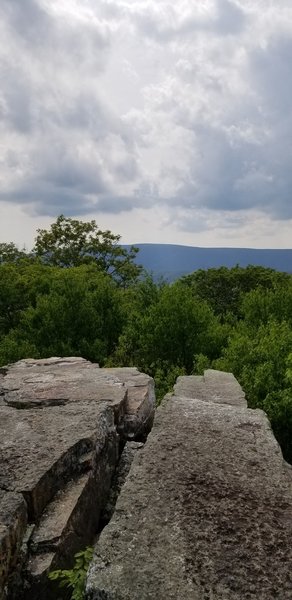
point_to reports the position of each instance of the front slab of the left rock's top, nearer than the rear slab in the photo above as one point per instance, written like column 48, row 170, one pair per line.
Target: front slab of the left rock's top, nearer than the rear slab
column 43, row 449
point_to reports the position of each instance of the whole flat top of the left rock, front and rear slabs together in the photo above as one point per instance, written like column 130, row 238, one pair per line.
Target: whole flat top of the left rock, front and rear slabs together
column 46, row 445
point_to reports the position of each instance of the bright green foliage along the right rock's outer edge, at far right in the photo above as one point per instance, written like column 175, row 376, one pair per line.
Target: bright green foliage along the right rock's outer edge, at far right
column 259, row 359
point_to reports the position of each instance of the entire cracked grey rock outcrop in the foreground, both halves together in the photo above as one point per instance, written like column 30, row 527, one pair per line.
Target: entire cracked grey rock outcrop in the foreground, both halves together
column 201, row 510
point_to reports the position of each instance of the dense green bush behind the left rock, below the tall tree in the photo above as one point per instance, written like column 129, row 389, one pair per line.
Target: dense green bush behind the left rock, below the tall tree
column 78, row 314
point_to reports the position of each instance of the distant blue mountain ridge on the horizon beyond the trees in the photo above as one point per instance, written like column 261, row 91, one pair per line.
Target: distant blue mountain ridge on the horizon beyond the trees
column 173, row 261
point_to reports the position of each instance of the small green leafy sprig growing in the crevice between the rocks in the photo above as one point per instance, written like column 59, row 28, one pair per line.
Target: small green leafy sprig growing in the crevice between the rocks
column 75, row 578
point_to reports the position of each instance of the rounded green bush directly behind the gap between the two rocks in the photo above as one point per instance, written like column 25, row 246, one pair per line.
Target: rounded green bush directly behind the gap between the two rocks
column 164, row 334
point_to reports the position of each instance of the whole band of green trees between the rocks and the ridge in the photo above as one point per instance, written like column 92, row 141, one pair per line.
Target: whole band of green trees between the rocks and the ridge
column 78, row 292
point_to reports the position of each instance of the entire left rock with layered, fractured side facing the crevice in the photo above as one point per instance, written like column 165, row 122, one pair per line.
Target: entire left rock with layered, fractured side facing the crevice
column 62, row 422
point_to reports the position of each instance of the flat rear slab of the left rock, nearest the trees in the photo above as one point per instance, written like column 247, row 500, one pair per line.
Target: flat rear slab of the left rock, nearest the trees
column 56, row 382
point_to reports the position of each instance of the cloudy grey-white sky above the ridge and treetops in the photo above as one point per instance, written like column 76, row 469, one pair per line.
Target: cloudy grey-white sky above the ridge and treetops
column 165, row 122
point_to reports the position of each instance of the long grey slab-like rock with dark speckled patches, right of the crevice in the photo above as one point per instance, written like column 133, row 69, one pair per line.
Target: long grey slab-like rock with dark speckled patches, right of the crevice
column 205, row 513
